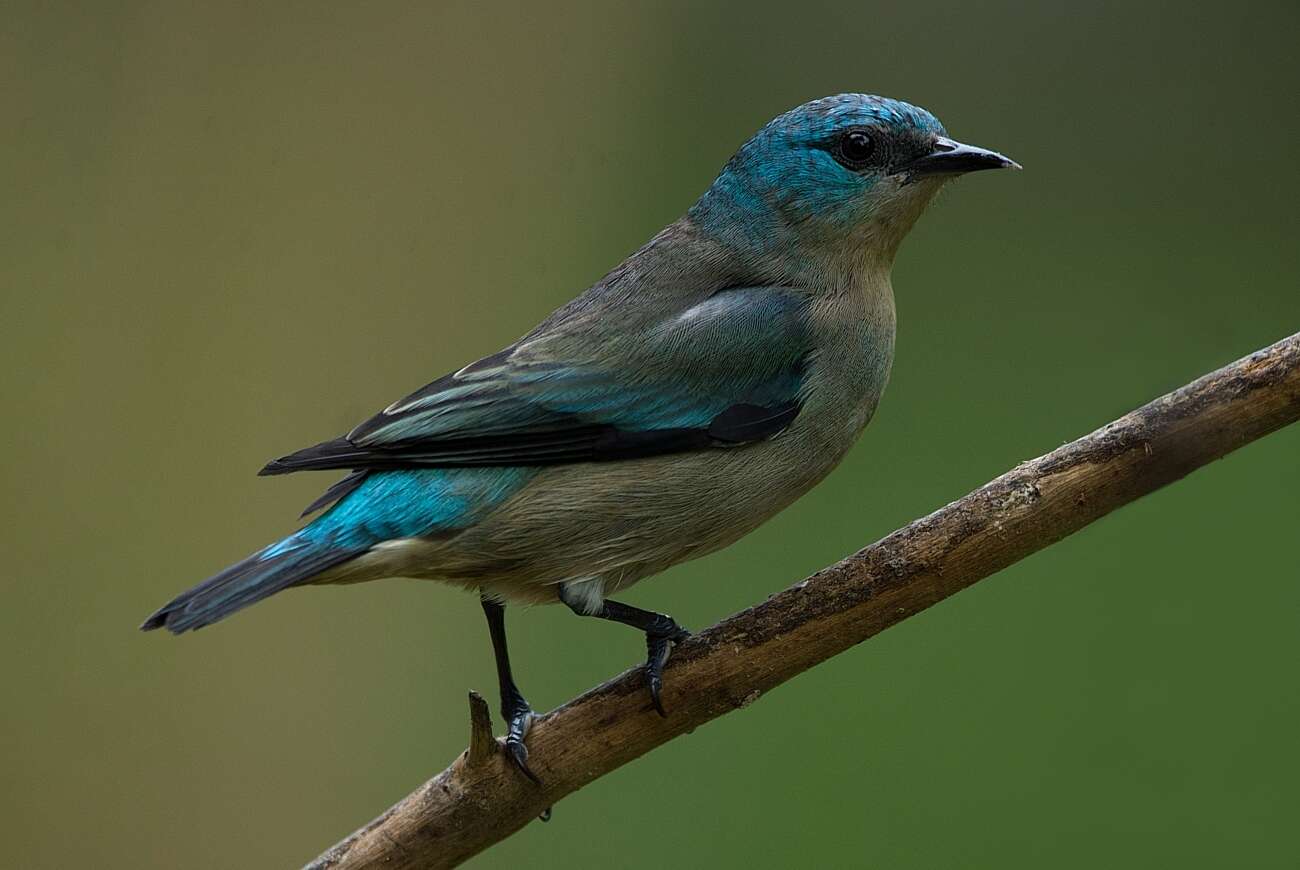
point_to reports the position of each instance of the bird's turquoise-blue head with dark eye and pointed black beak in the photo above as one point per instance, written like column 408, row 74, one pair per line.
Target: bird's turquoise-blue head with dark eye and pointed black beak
column 843, row 176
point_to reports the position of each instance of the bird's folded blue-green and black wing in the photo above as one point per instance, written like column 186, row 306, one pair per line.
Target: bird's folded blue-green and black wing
column 726, row 371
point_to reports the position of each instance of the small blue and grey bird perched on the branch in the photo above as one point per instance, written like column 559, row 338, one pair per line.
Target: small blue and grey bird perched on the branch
column 701, row 387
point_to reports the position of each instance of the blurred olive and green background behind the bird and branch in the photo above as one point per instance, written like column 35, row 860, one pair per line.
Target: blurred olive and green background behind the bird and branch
column 235, row 231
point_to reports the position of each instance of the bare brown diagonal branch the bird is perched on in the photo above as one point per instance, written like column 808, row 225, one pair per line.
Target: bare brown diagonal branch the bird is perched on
column 480, row 800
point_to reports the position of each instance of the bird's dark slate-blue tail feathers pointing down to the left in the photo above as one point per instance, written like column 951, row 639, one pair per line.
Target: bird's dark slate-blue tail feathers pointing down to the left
column 296, row 560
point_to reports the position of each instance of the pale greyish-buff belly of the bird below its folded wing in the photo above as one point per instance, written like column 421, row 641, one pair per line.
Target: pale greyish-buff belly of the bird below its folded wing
column 610, row 525
